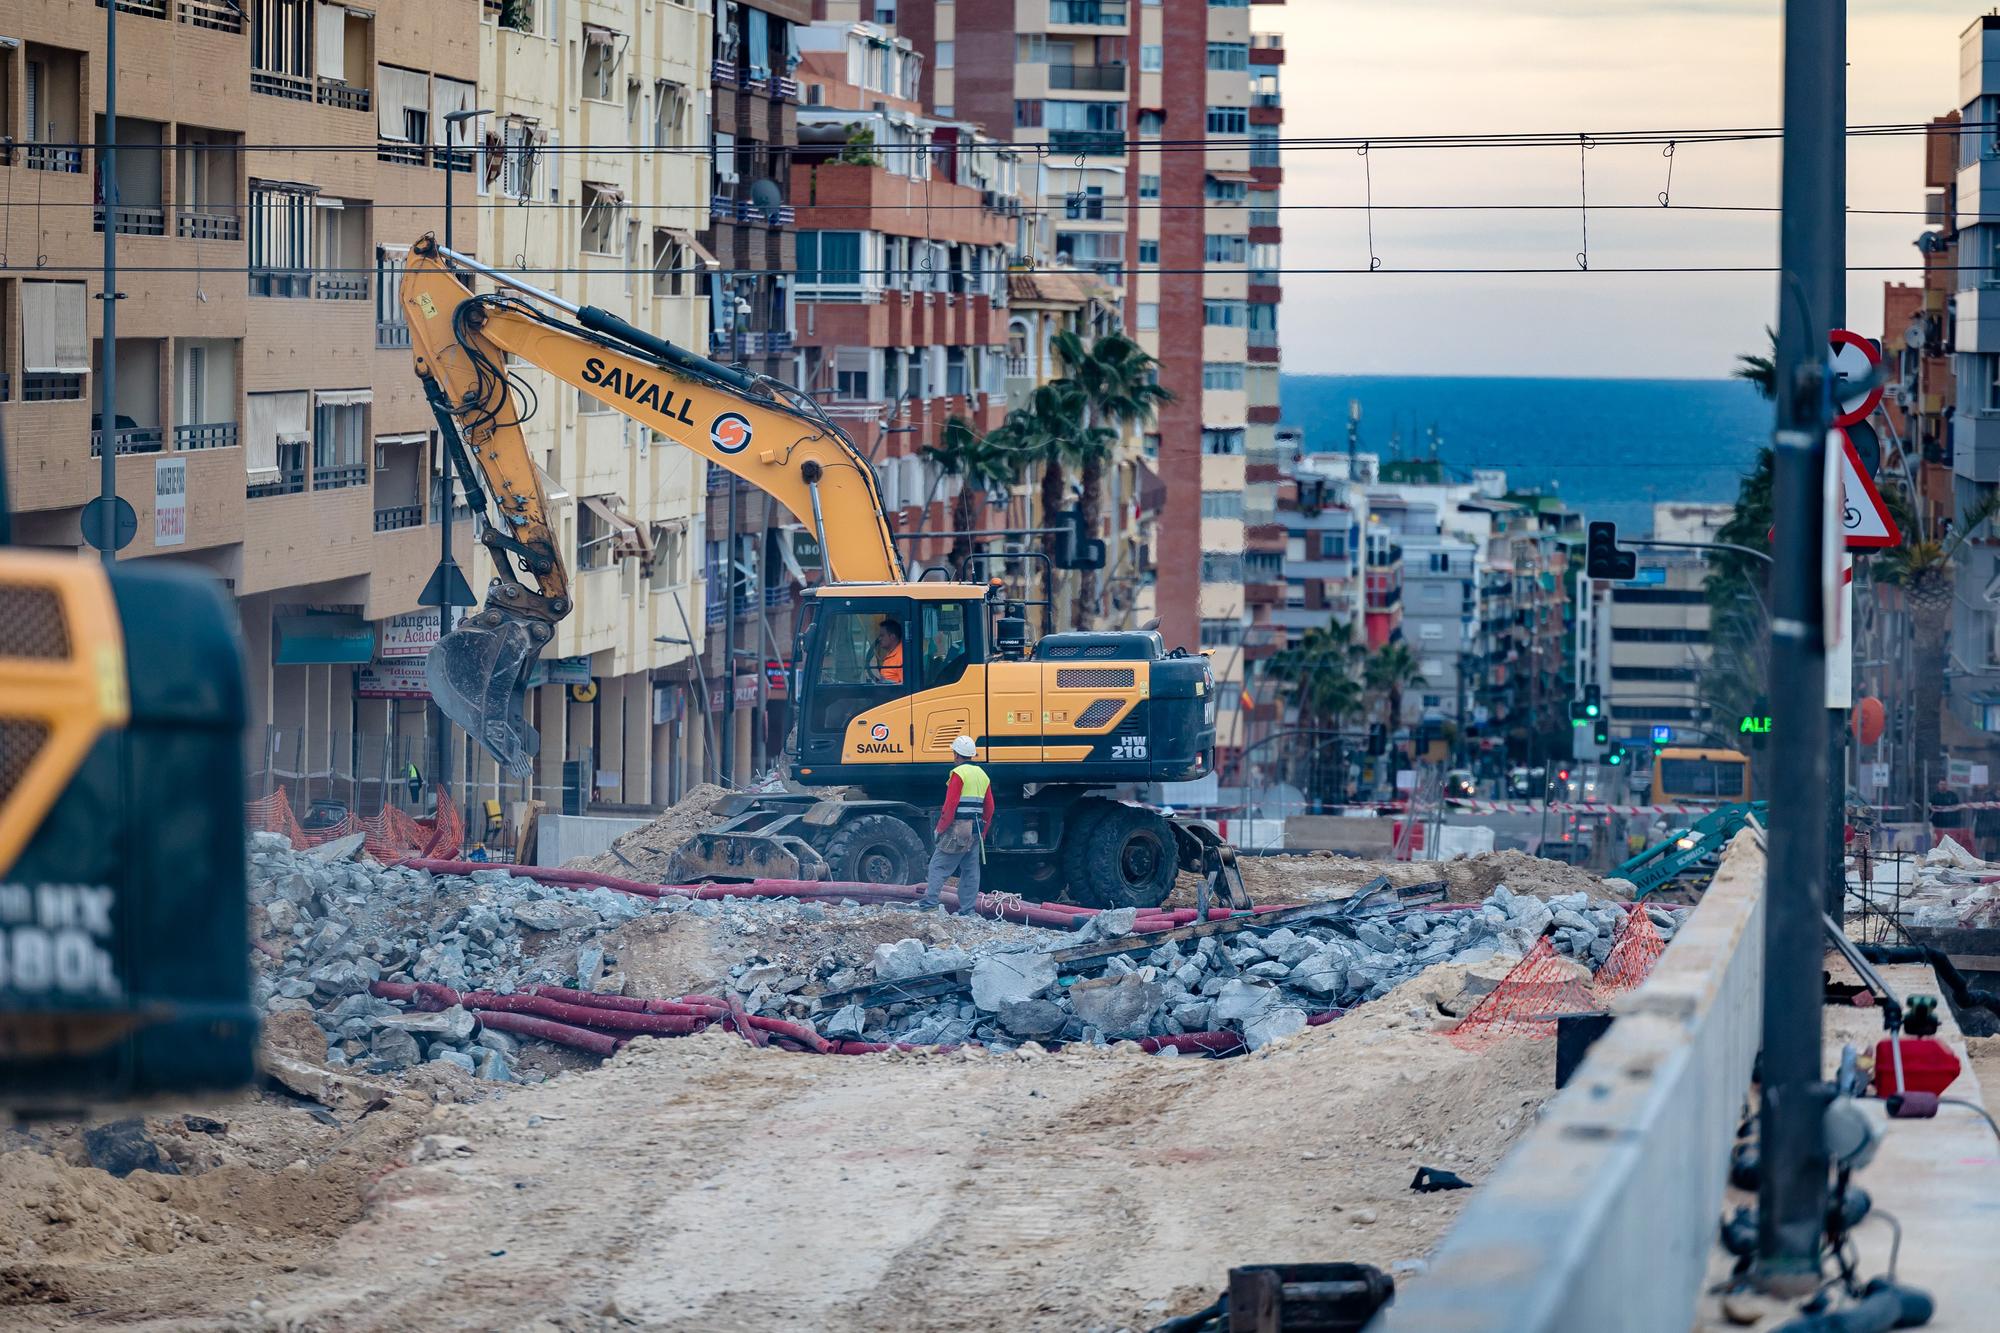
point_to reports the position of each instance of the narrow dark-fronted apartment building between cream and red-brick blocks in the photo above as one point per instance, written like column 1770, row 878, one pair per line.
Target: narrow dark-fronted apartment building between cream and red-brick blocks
column 751, row 589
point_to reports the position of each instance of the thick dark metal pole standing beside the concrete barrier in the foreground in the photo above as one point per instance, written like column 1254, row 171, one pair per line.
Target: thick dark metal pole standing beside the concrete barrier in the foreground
column 1795, row 1178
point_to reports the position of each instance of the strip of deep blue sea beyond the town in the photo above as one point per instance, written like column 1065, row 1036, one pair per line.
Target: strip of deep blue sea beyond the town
column 1607, row 447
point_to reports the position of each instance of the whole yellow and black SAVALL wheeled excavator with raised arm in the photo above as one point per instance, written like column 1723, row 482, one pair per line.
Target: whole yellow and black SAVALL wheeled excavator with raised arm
column 889, row 670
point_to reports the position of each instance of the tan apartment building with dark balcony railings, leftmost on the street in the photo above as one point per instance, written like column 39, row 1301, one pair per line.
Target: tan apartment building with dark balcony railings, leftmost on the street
column 267, row 421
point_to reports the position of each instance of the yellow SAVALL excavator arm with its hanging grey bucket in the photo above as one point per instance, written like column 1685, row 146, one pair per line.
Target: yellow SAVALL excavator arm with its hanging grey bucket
column 767, row 433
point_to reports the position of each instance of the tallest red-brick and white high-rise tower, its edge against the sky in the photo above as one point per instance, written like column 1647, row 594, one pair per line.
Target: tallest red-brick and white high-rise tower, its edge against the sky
column 1187, row 237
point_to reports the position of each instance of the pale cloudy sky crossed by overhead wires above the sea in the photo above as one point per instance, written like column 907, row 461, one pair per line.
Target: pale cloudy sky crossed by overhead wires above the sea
column 1451, row 67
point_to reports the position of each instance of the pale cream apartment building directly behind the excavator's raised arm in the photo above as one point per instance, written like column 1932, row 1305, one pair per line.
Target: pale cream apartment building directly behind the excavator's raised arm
column 591, row 181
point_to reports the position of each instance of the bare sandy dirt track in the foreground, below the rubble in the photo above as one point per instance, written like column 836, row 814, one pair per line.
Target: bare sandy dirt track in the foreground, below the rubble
column 703, row 1184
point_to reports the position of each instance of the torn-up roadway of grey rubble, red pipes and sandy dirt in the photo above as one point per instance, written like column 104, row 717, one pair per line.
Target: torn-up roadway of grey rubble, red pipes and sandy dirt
column 589, row 1102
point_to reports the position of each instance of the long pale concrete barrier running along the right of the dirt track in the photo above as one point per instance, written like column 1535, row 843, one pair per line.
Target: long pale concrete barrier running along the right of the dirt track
column 1605, row 1216
